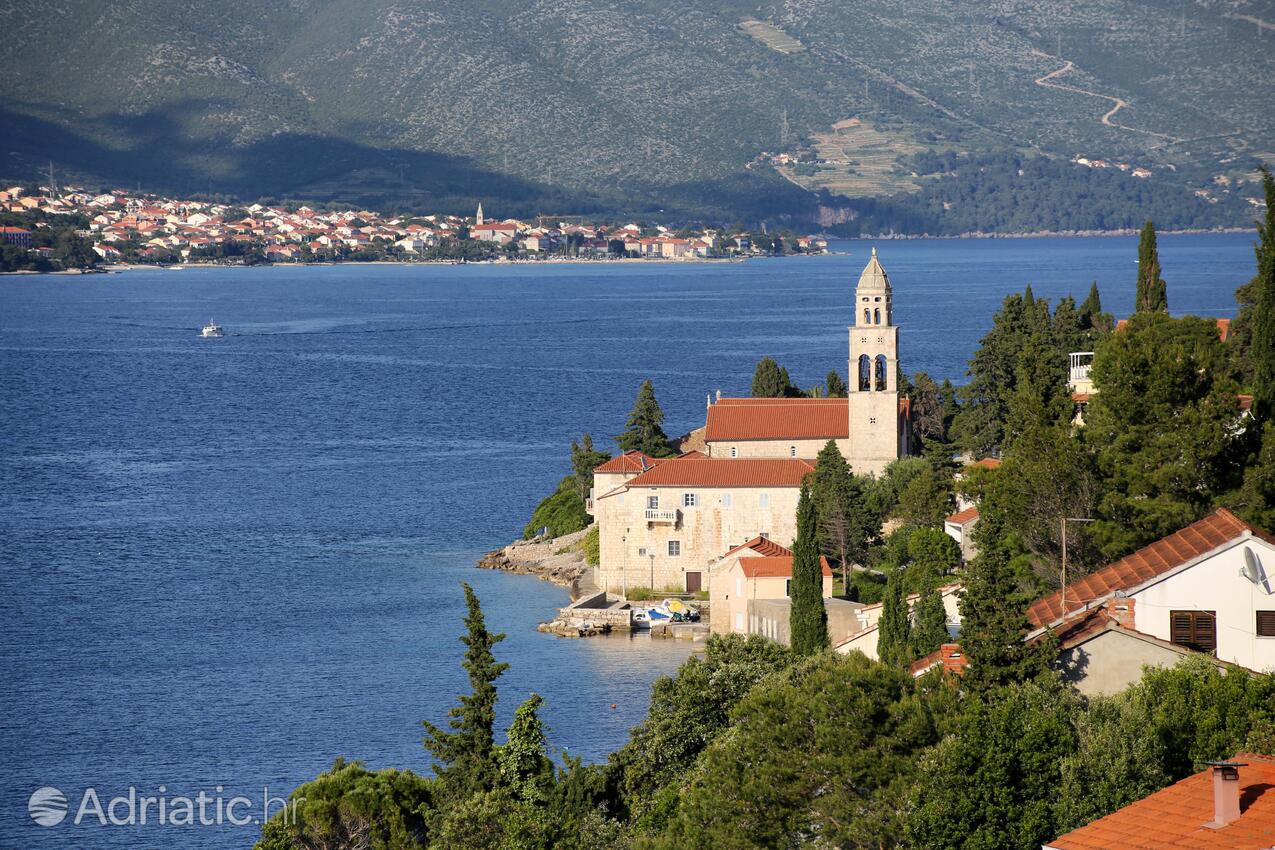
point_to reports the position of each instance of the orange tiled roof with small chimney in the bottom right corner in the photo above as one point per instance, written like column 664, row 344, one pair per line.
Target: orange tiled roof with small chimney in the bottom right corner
column 1176, row 816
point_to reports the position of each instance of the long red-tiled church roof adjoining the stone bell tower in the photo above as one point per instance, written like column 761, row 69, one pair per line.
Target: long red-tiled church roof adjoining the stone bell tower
column 780, row 420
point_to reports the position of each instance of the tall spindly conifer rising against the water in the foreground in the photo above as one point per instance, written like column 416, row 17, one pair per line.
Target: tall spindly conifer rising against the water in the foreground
column 467, row 756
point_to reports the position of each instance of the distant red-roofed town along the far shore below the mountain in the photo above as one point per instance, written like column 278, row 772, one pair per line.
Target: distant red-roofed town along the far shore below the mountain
column 47, row 230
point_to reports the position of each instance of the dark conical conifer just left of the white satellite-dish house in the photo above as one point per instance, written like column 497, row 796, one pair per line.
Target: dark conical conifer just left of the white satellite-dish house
column 994, row 625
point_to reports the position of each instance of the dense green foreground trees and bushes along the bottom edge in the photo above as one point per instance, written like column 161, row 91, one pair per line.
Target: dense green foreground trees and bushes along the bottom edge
column 753, row 746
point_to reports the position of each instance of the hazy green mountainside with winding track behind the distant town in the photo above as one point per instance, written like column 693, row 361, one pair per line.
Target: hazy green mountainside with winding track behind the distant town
column 641, row 106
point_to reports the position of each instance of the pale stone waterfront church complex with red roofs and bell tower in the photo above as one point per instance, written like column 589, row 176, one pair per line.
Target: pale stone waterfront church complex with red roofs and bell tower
column 664, row 522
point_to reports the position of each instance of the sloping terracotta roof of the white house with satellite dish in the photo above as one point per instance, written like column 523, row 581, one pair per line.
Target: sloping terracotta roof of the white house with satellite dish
column 1147, row 564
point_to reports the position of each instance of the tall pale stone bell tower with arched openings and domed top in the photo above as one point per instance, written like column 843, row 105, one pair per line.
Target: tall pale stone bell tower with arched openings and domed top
column 874, row 375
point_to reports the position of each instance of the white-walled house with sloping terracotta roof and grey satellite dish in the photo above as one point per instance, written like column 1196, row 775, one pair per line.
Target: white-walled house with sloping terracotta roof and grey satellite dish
column 1209, row 588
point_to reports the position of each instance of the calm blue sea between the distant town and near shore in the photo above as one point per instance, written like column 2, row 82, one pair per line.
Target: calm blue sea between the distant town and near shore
column 228, row 563
